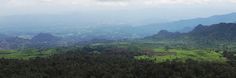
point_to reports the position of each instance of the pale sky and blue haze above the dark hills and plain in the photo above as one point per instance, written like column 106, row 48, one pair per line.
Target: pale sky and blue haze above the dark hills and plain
column 80, row 15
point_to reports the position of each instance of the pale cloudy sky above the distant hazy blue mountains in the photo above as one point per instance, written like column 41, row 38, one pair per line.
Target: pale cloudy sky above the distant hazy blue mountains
column 164, row 9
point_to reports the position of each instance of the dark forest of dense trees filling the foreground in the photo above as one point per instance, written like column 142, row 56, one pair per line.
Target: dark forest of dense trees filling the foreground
column 112, row 62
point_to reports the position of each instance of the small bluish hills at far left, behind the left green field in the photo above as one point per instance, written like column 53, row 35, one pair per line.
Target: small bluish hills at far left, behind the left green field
column 42, row 40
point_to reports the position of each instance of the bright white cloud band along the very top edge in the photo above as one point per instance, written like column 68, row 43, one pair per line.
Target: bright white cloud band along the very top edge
column 104, row 3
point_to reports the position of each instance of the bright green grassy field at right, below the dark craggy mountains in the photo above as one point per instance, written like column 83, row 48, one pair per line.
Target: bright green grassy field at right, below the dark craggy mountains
column 183, row 55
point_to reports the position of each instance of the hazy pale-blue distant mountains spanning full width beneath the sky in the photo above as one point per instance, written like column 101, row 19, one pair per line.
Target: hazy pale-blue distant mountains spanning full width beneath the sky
column 77, row 25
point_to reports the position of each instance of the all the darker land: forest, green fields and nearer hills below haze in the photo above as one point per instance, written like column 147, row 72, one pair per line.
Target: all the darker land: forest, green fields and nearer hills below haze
column 164, row 55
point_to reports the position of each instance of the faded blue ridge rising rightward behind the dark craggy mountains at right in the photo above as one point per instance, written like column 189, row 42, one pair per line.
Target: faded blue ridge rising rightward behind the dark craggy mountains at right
column 176, row 26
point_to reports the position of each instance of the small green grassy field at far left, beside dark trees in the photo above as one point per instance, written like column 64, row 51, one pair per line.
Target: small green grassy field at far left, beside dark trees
column 26, row 54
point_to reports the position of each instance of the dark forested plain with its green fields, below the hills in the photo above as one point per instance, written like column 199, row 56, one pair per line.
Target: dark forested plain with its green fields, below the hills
column 117, row 60
